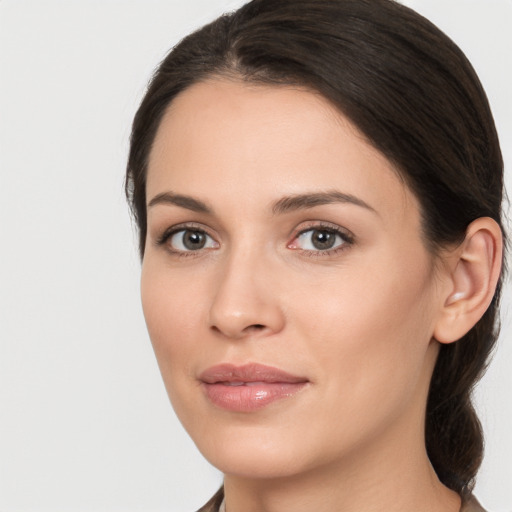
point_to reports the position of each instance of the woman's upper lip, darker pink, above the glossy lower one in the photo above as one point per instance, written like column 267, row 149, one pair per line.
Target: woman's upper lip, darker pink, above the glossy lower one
column 251, row 372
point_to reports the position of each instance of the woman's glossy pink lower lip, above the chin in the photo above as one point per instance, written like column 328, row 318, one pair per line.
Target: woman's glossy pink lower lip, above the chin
column 251, row 396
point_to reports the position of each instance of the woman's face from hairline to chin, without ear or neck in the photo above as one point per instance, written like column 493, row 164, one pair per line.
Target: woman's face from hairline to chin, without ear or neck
column 286, row 288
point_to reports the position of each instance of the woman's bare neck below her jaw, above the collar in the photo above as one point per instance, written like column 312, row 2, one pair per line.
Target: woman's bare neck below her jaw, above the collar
column 395, row 476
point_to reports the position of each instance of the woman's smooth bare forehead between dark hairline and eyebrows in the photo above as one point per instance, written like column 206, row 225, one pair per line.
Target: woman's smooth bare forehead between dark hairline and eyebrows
column 223, row 138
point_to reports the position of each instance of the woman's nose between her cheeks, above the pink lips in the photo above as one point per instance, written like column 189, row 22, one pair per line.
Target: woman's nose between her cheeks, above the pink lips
column 246, row 301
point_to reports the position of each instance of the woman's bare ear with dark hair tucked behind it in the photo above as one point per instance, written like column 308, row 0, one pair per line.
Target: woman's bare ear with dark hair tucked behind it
column 474, row 269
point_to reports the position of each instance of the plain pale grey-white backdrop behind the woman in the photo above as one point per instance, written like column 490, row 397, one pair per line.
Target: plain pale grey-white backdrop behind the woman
column 85, row 424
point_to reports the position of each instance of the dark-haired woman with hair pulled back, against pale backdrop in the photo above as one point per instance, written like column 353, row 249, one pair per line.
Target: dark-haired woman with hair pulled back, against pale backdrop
column 317, row 185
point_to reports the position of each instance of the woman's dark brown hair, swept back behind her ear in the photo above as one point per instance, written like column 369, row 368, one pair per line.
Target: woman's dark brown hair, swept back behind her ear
column 415, row 97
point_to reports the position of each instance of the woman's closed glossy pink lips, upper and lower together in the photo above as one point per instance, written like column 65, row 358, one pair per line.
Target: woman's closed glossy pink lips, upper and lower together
column 249, row 387
